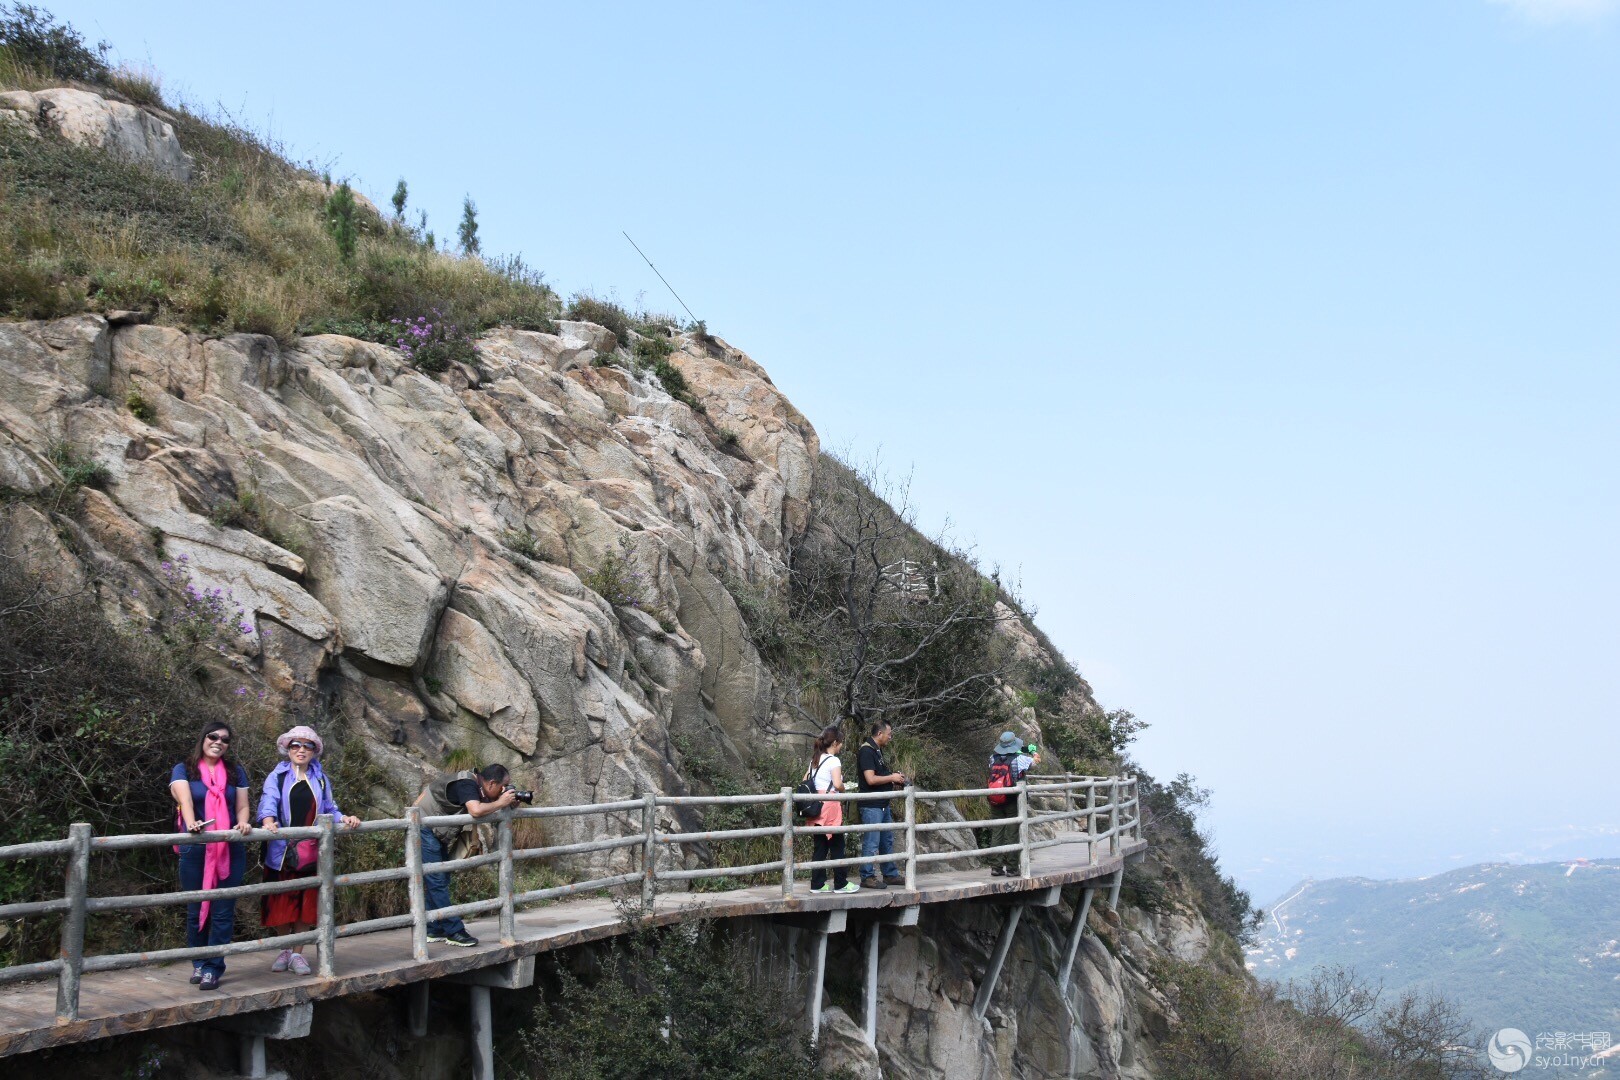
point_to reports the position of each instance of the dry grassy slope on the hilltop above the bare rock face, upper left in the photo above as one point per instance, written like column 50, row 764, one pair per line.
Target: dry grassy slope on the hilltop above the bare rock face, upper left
column 245, row 247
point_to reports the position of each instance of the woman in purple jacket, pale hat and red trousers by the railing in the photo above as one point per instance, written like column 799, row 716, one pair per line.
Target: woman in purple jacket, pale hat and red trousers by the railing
column 296, row 793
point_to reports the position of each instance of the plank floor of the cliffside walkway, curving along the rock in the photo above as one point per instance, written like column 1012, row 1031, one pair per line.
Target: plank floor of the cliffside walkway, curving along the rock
column 142, row 1000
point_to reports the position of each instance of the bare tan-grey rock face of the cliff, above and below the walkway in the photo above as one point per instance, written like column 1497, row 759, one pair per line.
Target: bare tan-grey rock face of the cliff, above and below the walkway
column 419, row 563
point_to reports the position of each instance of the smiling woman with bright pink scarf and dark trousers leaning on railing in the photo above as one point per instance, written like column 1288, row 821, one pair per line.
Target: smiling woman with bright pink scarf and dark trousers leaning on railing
column 211, row 796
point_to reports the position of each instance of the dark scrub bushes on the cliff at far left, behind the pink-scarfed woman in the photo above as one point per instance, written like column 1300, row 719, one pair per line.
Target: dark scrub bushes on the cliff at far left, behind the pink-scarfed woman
column 103, row 712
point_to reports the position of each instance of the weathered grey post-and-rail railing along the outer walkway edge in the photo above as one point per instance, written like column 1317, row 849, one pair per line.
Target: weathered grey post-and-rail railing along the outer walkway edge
column 1089, row 799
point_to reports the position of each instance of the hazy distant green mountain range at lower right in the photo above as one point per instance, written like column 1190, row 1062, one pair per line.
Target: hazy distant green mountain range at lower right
column 1533, row 948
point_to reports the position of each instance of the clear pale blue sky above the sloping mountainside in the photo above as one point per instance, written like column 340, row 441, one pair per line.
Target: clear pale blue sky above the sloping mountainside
column 1276, row 346
